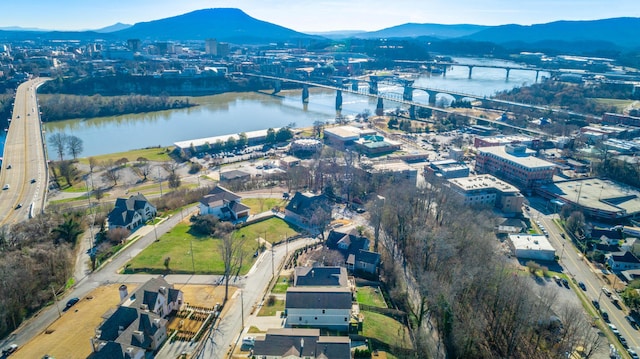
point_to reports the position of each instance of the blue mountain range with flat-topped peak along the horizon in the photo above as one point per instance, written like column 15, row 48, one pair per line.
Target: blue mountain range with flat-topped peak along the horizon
column 235, row 26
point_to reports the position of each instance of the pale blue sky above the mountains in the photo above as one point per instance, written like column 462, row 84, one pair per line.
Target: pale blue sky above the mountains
column 313, row 15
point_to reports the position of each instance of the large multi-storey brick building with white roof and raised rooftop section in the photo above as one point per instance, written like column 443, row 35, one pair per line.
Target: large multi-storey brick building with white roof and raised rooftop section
column 514, row 164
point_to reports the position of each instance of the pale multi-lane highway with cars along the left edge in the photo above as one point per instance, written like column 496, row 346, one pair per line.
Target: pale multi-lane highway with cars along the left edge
column 24, row 173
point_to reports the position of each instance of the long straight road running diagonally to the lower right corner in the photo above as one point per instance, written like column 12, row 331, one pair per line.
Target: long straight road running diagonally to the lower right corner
column 577, row 267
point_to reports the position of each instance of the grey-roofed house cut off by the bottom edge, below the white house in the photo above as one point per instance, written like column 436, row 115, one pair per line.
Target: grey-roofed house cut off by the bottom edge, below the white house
column 301, row 343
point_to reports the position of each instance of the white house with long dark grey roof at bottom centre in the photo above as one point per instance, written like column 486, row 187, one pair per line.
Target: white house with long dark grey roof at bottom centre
column 319, row 307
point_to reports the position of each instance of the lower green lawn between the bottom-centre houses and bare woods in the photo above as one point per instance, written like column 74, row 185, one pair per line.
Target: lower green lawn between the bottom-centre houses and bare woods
column 385, row 330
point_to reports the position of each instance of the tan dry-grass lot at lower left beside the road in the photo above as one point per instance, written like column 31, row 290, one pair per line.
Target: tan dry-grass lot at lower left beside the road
column 69, row 337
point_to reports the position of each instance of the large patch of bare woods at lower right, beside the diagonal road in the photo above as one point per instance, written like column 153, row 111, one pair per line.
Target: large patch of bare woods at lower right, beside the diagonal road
column 442, row 264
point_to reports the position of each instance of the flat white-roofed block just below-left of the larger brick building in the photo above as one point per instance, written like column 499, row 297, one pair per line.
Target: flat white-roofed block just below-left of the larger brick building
column 486, row 190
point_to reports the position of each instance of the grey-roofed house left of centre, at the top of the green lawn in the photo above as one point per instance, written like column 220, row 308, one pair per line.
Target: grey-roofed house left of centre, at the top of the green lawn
column 223, row 204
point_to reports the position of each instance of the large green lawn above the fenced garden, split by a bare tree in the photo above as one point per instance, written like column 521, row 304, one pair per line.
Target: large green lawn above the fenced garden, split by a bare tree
column 177, row 244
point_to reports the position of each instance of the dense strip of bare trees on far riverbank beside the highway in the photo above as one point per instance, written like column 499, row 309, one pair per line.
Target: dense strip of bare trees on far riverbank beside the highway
column 62, row 107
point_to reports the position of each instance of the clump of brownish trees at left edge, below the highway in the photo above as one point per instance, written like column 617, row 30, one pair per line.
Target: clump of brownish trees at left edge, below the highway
column 37, row 258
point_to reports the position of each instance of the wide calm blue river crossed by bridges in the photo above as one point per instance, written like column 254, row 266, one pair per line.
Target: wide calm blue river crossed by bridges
column 238, row 112
